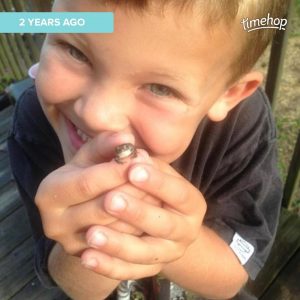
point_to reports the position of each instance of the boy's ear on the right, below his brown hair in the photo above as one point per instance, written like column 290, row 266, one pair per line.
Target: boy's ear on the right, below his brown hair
column 239, row 91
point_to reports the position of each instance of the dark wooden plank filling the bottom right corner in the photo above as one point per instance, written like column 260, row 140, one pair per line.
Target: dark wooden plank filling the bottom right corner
column 286, row 285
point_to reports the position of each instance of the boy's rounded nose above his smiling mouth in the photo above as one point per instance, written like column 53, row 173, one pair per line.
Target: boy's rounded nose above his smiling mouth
column 104, row 109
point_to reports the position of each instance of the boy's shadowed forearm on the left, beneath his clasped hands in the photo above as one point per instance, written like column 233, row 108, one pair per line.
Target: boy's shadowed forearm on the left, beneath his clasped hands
column 75, row 280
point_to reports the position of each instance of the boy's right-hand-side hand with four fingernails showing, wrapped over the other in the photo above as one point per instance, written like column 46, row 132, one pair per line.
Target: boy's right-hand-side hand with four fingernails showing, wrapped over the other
column 168, row 230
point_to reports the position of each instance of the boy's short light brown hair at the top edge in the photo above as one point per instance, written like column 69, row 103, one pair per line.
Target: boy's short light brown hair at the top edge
column 231, row 12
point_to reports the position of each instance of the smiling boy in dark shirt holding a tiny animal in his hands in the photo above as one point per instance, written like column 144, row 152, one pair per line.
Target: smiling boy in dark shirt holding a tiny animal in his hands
column 200, row 202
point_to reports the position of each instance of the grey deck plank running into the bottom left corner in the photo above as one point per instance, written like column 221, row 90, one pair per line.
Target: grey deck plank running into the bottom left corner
column 16, row 270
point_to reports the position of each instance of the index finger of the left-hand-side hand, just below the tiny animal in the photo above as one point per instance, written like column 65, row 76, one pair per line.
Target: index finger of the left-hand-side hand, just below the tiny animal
column 69, row 186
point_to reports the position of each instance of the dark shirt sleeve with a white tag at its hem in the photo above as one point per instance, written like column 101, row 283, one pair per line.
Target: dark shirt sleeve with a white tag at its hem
column 244, row 197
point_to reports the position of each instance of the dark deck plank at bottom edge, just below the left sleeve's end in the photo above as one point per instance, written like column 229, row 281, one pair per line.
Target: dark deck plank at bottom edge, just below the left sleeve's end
column 35, row 291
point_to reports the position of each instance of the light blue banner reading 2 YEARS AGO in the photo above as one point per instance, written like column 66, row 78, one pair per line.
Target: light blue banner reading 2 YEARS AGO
column 56, row 22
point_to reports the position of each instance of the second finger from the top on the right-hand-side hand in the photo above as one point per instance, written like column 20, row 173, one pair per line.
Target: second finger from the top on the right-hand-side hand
column 153, row 220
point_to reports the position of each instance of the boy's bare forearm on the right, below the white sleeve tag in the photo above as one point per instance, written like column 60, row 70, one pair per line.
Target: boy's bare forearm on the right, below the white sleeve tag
column 209, row 268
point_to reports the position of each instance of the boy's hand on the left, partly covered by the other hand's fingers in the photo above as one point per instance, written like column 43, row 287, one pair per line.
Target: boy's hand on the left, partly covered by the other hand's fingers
column 70, row 199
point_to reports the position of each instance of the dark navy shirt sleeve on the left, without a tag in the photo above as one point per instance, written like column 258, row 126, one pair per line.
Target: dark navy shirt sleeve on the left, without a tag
column 34, row 151
